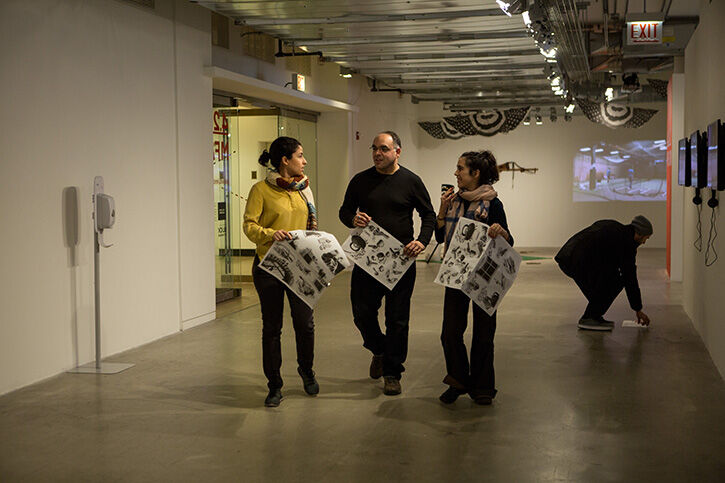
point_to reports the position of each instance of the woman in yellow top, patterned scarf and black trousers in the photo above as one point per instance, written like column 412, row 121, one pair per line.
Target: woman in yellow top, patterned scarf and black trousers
column 281, row 203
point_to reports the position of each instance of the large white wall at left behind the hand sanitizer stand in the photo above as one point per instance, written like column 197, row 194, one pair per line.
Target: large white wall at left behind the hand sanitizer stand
column 102, row 88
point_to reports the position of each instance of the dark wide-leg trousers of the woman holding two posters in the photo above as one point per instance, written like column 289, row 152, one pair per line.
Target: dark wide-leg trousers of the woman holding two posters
column 478, row 378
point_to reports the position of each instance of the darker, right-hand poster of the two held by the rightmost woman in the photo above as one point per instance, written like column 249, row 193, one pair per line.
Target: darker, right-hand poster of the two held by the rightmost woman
column 493, row 275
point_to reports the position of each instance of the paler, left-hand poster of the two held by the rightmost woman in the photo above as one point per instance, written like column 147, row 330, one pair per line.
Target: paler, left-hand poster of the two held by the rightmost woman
column 468, row 243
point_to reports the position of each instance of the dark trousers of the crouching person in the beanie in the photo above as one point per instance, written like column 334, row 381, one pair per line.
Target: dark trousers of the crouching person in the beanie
column 599, row 286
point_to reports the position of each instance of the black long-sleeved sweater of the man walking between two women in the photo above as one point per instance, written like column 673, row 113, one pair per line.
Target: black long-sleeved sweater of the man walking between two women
column 390, row 199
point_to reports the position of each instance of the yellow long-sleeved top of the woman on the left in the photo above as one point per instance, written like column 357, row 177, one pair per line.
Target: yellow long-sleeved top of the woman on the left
column 270, row 208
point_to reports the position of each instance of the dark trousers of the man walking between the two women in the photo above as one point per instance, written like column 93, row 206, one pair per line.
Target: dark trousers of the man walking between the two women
column 366, row 295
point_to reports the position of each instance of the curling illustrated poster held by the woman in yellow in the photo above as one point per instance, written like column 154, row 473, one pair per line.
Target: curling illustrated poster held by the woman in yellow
column 306, row 264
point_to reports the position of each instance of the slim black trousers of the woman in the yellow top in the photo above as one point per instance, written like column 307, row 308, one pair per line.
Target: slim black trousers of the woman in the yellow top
column 271, row 299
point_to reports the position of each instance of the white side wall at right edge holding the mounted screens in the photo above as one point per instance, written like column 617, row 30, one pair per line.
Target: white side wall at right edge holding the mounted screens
column 705, row 102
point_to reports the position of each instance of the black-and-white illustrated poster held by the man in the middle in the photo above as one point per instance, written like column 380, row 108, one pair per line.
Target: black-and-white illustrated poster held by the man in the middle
column 379, row 253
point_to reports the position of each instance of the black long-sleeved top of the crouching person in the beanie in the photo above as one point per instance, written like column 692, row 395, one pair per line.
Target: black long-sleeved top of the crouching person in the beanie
column 605, row 246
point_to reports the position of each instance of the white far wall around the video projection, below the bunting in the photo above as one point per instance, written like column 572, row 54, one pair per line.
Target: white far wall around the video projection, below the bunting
column 539, row 206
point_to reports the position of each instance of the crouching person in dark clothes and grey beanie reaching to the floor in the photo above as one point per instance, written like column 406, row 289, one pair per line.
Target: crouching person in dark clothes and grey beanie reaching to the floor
column 601, row 260
